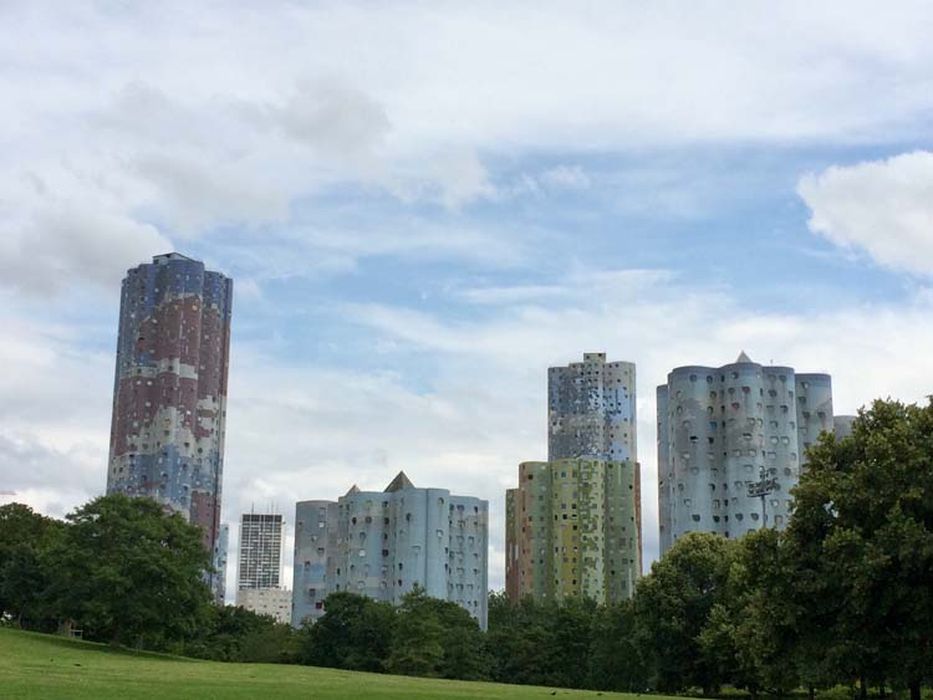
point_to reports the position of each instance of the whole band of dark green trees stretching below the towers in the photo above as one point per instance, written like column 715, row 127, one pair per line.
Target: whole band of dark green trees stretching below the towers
column 843, row 596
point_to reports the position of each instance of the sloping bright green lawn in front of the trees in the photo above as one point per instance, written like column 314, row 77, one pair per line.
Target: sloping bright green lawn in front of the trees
column 43, row 666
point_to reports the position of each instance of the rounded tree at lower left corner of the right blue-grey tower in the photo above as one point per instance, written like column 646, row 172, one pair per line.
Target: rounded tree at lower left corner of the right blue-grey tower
column 673, row 605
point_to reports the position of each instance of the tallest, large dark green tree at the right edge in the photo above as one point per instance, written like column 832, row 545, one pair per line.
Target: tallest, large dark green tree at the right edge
column 861, row 540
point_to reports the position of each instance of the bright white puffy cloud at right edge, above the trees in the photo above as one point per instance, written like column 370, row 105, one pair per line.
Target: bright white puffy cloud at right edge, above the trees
column 883, row 207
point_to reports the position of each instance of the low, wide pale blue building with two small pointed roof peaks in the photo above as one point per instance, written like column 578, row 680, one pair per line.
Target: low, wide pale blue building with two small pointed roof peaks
column 382, row 544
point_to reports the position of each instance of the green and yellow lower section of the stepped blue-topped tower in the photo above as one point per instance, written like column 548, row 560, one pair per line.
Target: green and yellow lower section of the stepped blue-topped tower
column 573, row 529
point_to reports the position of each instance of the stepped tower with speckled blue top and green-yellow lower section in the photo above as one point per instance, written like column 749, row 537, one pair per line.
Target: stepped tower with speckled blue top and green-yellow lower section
column 573, row 525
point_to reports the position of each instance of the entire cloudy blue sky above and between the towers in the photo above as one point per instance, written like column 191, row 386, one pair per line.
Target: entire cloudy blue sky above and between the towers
column 426, row 205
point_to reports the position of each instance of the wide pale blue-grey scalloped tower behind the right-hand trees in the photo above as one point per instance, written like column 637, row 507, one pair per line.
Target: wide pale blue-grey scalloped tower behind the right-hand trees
column 721, row 428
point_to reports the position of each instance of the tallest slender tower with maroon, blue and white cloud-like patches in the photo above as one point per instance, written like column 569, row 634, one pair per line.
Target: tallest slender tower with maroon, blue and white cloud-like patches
column 170, row 390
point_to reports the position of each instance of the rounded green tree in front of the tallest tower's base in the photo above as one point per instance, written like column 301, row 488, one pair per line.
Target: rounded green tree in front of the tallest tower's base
column 128, row 572
